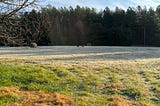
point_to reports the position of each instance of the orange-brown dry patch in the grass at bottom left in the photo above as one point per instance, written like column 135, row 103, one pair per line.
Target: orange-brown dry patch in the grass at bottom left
column 36, row 98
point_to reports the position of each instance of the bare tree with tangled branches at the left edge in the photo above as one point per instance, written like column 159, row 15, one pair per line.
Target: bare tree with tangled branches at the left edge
column 9, row 23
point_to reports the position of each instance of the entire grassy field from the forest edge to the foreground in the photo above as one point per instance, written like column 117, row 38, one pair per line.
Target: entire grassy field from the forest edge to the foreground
column 89, row 76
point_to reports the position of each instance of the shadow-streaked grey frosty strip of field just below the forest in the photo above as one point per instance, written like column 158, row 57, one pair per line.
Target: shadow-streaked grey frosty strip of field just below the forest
column 88, row 53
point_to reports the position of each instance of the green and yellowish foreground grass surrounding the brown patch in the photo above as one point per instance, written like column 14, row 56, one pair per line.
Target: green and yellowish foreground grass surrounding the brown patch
column 134, row 84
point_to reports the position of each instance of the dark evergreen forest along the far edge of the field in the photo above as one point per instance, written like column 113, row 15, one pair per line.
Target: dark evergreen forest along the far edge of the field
column 136, row 26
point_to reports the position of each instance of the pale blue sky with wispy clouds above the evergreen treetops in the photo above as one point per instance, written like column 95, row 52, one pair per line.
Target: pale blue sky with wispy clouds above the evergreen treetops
column 101, row 4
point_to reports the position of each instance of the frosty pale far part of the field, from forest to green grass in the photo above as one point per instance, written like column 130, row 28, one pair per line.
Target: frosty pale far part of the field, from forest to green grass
column 73, row 55
